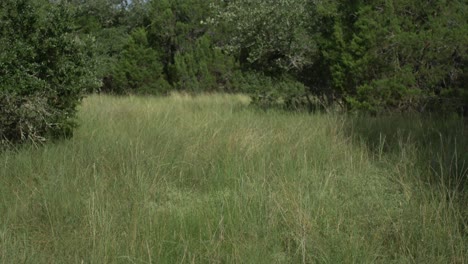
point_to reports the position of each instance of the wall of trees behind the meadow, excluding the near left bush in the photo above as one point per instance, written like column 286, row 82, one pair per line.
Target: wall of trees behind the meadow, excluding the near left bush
column 376, row 56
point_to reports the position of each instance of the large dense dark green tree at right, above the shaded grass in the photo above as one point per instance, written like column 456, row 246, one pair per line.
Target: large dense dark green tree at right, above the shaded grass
column 395, row 55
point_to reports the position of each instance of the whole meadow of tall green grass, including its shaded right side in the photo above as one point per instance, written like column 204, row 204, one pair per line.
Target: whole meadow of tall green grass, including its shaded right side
column 211, row 180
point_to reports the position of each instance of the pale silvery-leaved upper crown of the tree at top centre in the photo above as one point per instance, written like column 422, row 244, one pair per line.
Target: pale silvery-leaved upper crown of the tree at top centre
column 267, row 35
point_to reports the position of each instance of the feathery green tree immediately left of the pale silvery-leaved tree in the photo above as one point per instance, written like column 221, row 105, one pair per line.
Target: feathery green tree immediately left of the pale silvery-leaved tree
column 180, row 32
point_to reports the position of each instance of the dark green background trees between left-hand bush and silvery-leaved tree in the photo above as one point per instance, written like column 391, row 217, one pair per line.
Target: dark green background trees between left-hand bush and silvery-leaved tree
column 152, row 47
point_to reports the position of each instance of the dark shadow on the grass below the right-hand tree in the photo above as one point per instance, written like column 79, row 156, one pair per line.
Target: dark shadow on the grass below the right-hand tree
column 437, row 147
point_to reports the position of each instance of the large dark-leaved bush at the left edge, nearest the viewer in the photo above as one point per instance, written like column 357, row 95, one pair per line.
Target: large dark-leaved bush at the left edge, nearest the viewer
column 44, row 69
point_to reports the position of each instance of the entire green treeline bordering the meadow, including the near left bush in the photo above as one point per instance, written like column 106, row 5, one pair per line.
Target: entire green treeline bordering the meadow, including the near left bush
column 374, row 56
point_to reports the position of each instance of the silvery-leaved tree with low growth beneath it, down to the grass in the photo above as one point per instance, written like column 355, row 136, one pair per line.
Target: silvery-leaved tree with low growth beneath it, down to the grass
column 274, row 45
